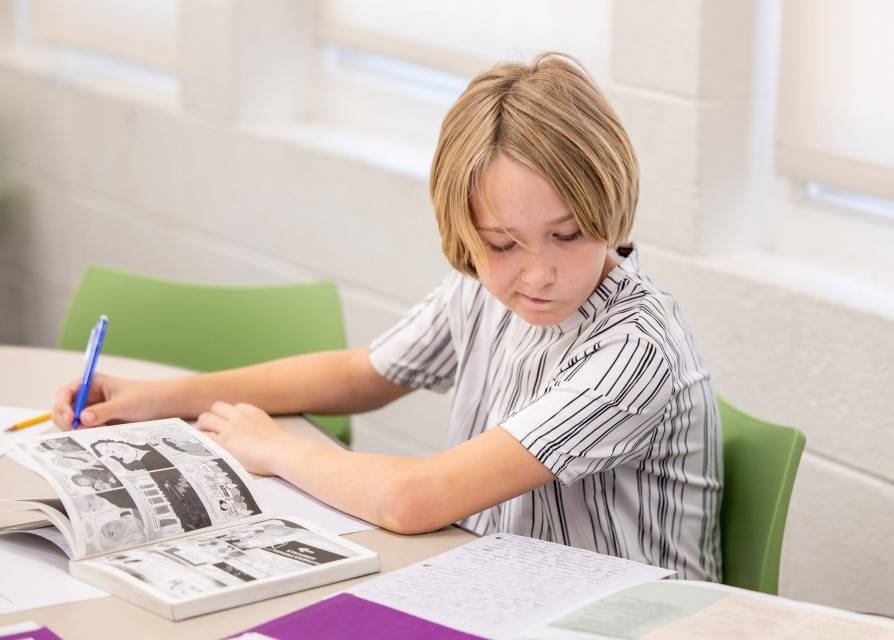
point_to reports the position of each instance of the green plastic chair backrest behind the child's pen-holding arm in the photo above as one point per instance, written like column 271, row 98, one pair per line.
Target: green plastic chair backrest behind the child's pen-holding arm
column 206, row 327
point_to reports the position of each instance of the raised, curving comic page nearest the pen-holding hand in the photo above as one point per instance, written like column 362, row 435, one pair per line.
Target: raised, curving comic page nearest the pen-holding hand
column 139, row 483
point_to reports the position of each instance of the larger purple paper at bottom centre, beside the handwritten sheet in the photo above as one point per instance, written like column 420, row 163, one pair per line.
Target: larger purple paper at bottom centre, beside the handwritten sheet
column 347, row 617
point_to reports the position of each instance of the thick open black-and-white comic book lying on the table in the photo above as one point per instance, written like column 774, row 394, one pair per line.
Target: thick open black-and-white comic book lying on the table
column 160, row 515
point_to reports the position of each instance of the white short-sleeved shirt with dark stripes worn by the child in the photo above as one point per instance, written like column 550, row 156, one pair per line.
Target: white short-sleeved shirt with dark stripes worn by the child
column 615, row 401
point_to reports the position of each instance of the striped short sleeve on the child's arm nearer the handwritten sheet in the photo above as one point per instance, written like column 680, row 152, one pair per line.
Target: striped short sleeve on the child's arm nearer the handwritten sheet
column 604, row 408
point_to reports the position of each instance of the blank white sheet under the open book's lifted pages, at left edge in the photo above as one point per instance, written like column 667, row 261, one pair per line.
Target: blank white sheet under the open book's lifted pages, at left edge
column 35, row 575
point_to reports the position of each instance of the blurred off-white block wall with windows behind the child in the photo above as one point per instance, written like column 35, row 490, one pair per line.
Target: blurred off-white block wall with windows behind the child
column 259, row 141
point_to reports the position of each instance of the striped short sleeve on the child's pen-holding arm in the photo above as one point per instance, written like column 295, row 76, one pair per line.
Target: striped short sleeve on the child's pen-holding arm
column 418, row 352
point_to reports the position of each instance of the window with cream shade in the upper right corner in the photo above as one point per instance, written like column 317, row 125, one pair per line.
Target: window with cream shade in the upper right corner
column 835, row 121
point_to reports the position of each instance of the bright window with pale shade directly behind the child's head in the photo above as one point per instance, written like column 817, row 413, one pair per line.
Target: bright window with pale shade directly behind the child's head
column 407, row 63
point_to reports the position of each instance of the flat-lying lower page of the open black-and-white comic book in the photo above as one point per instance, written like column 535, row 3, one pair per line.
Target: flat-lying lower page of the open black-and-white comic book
column 206, row 563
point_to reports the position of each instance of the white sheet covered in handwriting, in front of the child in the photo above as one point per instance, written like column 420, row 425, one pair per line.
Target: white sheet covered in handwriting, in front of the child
column 500, row 584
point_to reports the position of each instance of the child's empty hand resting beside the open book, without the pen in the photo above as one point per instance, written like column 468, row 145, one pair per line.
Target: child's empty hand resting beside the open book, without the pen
column 250, row 434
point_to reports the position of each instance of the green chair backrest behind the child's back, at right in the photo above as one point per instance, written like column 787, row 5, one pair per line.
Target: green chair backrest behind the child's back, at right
column 760, row 462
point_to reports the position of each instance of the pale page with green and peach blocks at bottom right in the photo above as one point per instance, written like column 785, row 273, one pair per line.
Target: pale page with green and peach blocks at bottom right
column 681, row 610
